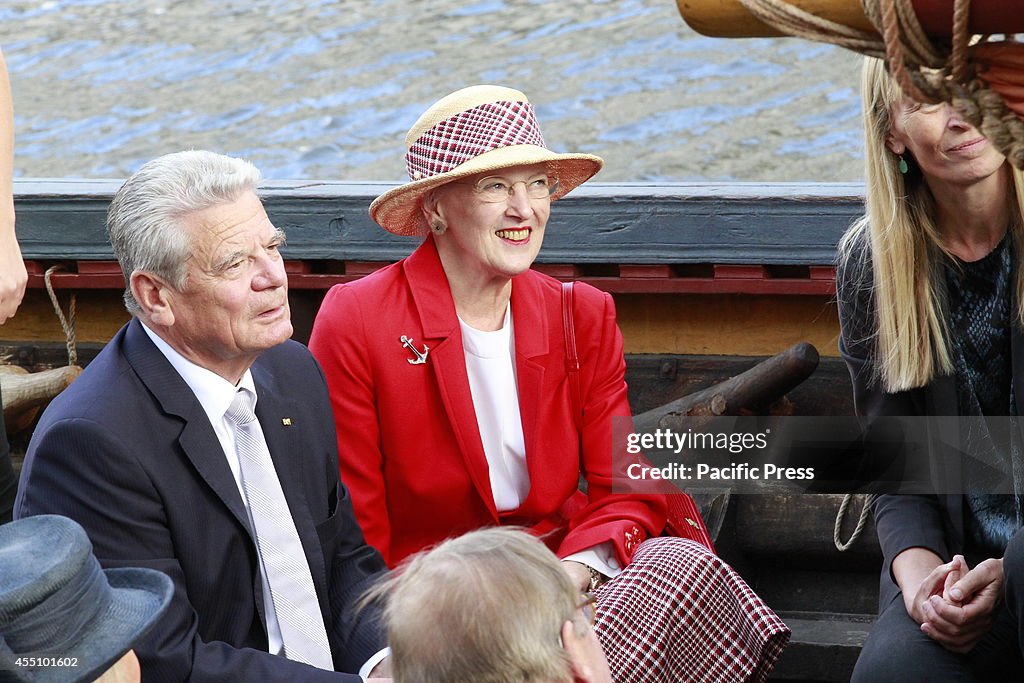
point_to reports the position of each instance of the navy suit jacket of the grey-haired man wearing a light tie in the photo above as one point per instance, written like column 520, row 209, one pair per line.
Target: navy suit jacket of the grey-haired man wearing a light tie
column 129, row 452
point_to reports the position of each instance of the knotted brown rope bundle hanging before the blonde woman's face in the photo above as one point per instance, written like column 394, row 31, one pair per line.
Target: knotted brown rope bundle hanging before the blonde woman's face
column 926, row 72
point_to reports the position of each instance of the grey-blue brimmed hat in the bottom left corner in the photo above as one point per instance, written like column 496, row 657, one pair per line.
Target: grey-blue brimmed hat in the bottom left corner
column 60, row 611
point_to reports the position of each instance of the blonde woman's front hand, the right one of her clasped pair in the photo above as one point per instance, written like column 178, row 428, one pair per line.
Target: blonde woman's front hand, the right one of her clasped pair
column 963, row 615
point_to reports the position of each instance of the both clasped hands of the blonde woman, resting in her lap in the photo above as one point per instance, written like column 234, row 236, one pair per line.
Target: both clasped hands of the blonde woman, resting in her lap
column 956, row 605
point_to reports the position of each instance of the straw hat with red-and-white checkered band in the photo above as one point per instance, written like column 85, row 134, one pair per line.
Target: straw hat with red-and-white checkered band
column 475, row 131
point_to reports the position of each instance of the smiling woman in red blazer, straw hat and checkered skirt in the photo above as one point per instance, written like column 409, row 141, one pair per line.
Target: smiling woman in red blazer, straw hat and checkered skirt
column 454, row 406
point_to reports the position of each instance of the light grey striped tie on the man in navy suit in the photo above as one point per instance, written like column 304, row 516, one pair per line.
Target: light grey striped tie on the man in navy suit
column 281, row 551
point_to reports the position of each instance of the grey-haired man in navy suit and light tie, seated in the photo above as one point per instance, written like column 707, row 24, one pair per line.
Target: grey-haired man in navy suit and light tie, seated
column 201, row 443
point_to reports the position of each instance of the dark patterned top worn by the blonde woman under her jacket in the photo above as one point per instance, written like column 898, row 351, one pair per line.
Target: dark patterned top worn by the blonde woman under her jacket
column 980, row 305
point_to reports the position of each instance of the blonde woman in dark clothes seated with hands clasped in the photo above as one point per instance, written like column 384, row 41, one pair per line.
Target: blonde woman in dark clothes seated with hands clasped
column 931, row 307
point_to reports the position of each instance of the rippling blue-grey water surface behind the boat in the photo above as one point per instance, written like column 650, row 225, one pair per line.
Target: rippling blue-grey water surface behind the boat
column 328, row 89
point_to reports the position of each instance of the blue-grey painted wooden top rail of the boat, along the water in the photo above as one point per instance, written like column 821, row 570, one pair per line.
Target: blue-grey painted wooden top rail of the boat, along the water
column 636, row 224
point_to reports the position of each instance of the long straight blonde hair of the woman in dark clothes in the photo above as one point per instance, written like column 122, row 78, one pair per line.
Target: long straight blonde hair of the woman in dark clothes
column 912, row 345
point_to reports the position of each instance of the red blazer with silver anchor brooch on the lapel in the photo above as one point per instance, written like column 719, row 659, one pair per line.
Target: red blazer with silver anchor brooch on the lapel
column 410, row 447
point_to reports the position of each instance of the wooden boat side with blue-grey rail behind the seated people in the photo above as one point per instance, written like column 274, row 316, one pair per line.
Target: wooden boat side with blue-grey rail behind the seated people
column 708, row 281
